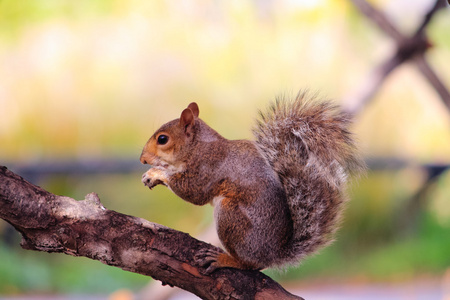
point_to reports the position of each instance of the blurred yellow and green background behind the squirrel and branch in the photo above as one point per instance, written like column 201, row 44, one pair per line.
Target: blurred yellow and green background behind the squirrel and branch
column 83, row 85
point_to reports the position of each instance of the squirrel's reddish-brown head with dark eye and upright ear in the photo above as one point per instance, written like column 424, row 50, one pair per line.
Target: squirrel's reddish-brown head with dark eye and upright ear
column 165, row 146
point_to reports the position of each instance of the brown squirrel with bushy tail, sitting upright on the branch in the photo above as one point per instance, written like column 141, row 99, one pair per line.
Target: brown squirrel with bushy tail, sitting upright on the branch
column 276, row 199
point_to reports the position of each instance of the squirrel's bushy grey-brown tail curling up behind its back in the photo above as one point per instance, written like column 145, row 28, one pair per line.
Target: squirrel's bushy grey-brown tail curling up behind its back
column 309, row 145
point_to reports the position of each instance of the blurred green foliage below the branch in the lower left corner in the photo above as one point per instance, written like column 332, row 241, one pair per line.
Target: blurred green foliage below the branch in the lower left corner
column 38, row 272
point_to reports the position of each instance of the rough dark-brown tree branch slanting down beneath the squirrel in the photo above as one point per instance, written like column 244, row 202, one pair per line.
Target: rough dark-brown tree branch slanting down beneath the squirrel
column 61, row 224
